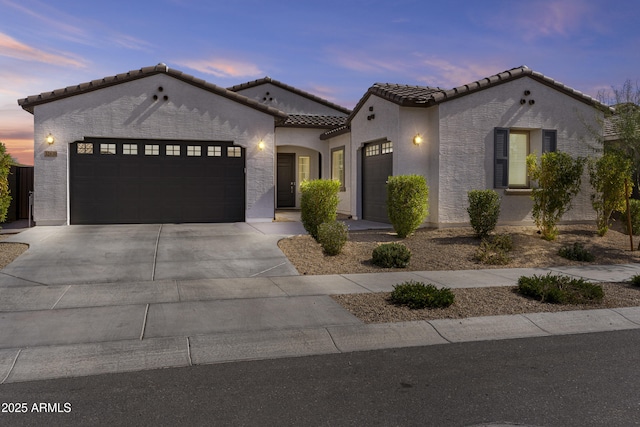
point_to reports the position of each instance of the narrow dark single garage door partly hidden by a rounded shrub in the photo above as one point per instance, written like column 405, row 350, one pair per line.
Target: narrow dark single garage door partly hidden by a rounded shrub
column 377, row 166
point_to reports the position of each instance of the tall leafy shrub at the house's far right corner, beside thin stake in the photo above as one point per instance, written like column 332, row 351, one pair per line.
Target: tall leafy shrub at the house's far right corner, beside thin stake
column 607, row 176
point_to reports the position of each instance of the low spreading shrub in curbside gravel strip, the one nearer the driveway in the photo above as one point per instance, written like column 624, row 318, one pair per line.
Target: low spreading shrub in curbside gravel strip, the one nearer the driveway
column 416, row 295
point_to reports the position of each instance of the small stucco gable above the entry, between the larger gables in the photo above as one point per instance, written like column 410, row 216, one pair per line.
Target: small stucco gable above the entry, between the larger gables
column 287, row 101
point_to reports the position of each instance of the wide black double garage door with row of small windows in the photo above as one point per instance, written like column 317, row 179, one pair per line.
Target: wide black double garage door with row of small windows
column 118, row 181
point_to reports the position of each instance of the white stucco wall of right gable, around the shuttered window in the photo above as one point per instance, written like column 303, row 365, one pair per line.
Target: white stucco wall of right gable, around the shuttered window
column 466, row 147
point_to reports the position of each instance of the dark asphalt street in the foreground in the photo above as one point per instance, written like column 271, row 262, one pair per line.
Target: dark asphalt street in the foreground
column 571, row 380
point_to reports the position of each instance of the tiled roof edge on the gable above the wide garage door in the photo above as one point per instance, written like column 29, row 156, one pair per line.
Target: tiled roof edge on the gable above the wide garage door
column 30, row 102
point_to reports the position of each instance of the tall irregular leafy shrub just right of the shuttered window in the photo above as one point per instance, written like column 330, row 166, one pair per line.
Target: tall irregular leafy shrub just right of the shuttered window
column 559, row 177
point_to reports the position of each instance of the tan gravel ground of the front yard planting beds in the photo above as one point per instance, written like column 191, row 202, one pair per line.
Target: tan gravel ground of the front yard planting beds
column 453, row 249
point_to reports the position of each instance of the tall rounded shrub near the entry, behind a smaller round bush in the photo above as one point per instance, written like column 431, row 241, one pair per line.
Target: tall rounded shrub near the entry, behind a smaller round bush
column 318, row 203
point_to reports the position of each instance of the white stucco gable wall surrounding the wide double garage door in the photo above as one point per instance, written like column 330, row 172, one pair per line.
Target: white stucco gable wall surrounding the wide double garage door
column 128, row 110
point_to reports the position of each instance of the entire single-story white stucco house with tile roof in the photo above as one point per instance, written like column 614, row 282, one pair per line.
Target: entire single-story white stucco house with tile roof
column 157, row 145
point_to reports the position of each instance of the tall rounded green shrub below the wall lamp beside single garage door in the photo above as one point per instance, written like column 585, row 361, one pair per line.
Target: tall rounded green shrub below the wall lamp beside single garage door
column 407, row 203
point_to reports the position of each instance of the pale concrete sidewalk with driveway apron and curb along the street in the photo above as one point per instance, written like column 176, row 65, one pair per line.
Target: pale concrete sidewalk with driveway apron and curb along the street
column 76, row 330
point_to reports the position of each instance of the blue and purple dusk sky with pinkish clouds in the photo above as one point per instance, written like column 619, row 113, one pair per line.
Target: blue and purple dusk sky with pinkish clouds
column 333, row 49
